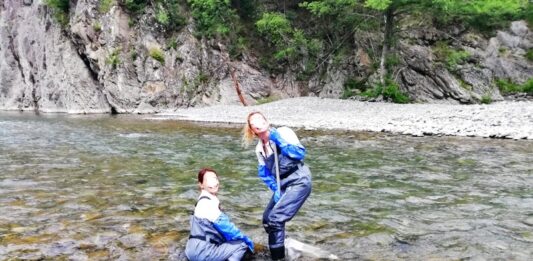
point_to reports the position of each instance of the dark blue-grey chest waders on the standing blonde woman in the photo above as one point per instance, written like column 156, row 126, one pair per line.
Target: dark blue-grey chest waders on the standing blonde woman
column 294, row 183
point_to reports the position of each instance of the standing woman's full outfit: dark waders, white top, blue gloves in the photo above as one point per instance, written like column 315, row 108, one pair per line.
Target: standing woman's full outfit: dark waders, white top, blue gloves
column 295, row 184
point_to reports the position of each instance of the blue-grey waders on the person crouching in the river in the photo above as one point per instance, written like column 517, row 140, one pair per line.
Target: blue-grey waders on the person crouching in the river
column 207, row 243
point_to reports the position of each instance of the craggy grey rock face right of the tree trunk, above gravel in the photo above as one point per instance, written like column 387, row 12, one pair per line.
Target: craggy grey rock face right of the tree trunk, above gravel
column 500, row 57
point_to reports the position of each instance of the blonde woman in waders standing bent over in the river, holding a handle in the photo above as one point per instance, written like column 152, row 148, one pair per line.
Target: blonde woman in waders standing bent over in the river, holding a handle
column 279, row 146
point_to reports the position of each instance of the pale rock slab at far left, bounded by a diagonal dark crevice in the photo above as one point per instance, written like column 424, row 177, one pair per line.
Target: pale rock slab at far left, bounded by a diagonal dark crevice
column 40, row 68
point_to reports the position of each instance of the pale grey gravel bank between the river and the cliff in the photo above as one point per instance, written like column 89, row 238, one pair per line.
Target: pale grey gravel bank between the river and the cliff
column 510, row 120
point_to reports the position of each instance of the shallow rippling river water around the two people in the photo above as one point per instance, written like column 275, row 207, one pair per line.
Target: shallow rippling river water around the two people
column 120, row 187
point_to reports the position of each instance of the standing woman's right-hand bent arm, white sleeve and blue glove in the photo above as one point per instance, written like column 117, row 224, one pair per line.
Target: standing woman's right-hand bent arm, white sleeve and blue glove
column 288, row 142
